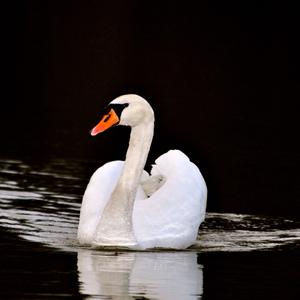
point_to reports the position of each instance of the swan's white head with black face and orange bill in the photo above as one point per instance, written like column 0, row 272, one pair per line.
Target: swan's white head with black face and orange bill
column 128, row 110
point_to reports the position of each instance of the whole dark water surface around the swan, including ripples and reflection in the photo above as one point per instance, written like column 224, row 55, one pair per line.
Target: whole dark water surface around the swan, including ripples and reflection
column 235, row 256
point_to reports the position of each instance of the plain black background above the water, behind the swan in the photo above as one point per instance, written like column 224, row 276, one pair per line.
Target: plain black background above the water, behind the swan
column 218, row 77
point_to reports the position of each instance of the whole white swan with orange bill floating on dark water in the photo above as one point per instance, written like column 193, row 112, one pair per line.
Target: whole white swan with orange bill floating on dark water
column 125, row 207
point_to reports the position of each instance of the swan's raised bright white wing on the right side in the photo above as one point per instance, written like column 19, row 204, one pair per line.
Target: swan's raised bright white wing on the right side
column 171, row 216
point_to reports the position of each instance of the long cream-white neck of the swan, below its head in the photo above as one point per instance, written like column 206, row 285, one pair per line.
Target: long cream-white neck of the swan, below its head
column 115, row 226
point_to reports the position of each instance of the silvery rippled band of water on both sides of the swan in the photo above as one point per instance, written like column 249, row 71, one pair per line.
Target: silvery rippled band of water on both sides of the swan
column 41, row 203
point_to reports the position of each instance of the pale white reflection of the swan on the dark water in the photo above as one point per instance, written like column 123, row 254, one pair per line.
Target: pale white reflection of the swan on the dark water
column 132, row 275
